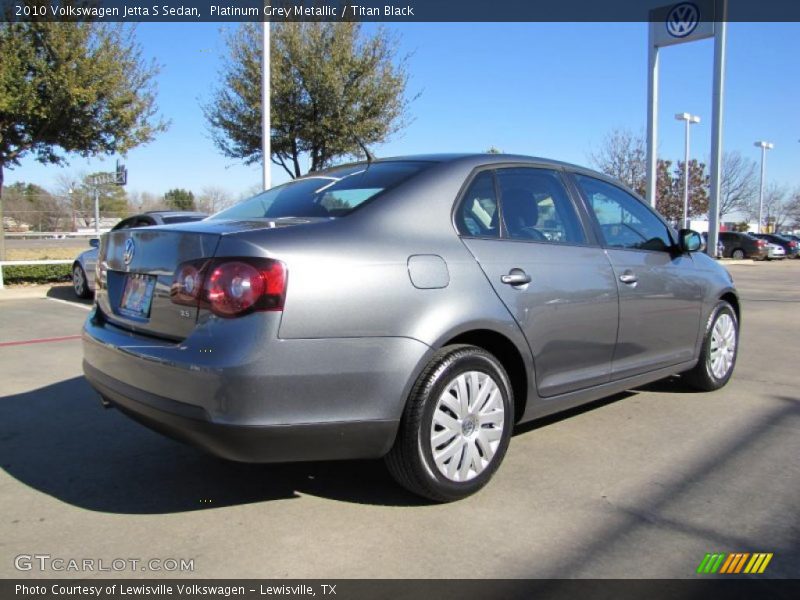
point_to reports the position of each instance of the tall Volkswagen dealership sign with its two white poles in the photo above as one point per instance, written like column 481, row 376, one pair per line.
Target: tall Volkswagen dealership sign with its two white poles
column 677, row 24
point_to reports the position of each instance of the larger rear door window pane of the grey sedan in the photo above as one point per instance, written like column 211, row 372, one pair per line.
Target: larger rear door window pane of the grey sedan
column 536, row 207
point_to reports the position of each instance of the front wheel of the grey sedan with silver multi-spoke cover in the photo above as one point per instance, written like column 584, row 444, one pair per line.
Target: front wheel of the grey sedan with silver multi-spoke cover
column 718, row 354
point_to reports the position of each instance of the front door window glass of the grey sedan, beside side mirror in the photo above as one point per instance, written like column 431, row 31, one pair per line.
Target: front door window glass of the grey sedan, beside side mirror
column 624, row 221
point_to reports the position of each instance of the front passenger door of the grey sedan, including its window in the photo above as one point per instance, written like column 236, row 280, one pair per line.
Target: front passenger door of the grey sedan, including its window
column 660, row 292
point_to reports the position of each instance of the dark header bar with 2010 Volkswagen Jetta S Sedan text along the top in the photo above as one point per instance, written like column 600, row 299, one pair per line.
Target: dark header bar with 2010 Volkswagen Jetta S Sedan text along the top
column 395, row 11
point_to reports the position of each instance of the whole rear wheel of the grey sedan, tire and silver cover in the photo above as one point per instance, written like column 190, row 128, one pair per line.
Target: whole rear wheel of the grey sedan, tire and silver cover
column 456, row 425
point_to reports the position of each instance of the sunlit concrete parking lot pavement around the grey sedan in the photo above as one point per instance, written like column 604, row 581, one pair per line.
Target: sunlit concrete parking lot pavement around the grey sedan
column 641, row 485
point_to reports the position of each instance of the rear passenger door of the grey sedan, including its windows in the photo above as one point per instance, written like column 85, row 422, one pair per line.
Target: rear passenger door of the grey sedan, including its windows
column 538, row 257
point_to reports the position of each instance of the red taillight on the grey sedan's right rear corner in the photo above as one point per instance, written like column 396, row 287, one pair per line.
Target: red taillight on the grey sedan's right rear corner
column 231, row 287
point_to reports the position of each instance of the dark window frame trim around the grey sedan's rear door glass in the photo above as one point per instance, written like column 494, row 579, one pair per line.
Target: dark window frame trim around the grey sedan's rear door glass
column 590, row 236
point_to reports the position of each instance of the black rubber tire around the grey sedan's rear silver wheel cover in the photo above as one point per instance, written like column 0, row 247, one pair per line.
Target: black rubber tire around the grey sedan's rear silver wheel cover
column 411, row 461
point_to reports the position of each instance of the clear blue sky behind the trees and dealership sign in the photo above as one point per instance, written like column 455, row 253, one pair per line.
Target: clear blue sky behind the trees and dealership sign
column 546, row 89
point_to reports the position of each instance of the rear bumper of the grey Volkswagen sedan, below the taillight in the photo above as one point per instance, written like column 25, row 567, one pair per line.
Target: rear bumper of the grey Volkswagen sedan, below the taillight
column 266, row 400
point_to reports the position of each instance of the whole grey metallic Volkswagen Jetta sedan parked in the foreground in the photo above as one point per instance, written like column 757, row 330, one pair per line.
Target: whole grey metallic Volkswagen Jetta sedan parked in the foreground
column 412, row 308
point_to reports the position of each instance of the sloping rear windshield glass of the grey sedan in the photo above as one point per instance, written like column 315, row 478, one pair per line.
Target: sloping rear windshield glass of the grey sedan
column 334, row 193
